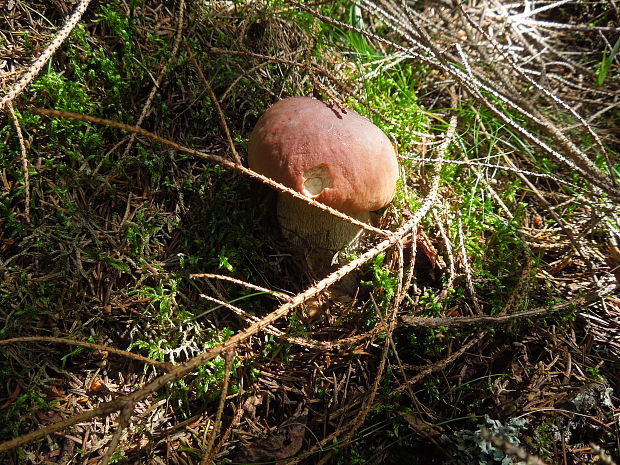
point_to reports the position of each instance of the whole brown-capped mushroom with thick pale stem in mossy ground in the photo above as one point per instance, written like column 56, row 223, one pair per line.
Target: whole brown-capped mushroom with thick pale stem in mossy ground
column 334, row 156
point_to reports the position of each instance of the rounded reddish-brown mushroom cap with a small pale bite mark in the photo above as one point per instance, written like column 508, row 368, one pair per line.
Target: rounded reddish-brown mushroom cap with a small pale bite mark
column 340, row 159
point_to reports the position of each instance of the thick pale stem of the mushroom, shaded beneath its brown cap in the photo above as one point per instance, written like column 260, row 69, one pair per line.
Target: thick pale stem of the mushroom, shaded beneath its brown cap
column 307, row 226
